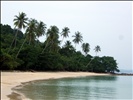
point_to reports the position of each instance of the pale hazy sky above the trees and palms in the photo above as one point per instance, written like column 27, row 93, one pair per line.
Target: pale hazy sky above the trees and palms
column 104, row 23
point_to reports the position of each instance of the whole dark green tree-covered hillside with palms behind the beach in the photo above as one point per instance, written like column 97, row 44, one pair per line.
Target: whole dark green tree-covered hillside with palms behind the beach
column 23, row 51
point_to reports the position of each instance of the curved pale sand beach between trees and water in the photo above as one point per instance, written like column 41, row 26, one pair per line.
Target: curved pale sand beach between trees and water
column 9, row 80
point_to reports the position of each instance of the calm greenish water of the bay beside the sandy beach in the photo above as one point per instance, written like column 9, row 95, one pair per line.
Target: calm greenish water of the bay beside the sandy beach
column 83, row 88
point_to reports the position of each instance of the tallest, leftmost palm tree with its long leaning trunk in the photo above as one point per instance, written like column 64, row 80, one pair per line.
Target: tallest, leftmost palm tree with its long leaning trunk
column 20, row 22
